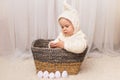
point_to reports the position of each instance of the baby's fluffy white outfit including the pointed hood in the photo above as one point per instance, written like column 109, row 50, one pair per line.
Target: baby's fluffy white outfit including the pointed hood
column 76, row 43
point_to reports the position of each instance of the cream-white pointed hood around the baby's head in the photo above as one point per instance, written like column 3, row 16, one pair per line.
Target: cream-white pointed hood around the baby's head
column 72, row 15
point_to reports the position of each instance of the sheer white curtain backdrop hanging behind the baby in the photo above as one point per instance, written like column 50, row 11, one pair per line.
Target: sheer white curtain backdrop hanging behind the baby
column 22, row 21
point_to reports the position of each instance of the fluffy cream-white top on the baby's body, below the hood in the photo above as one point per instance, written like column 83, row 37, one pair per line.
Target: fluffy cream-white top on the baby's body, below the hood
column 76, row 43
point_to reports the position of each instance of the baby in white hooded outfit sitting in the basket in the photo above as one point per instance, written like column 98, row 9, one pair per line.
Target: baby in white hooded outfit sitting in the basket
column 71, row 37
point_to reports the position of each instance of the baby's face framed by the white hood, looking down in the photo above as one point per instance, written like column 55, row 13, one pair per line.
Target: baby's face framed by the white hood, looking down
column 67, row 27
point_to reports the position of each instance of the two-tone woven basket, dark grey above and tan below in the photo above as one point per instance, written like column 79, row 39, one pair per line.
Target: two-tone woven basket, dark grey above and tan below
column 55, row 59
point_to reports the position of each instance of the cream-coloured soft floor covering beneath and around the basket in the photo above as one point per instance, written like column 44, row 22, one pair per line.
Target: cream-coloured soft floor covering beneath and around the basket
column 101, row 67
